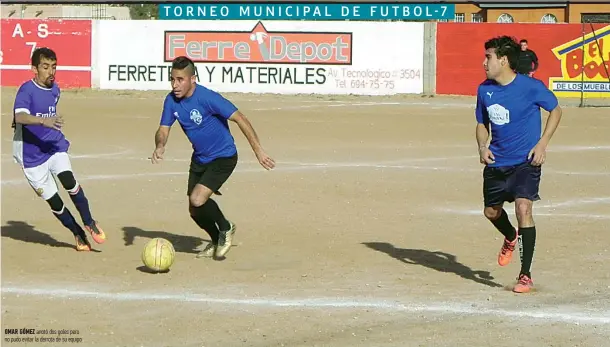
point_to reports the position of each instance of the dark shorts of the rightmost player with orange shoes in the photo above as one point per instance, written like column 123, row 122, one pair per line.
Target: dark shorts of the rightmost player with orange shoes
column 505, row 184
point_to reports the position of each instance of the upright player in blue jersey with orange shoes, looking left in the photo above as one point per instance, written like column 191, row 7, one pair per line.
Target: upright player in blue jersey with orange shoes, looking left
column 509, row 105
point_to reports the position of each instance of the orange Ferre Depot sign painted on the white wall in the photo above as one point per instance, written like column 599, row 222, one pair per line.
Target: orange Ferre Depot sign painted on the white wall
column 260, row 46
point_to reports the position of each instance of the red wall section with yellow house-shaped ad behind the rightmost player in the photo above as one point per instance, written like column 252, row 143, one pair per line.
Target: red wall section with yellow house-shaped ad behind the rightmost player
column 460, row 53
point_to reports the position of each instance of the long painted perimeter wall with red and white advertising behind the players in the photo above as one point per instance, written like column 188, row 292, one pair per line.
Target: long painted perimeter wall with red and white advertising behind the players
column 361, row 58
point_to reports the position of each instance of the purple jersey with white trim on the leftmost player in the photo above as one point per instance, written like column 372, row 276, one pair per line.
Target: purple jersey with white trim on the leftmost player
column 35, row 144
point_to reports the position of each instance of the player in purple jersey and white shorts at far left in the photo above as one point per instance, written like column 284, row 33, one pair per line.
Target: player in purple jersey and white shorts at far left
column 41, row 148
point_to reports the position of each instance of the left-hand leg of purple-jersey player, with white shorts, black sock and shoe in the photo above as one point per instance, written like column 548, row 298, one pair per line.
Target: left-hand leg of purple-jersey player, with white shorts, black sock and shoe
column 41, row 180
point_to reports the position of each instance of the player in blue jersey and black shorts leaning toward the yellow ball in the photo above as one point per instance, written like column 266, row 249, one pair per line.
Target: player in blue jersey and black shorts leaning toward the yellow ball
column 203, row 115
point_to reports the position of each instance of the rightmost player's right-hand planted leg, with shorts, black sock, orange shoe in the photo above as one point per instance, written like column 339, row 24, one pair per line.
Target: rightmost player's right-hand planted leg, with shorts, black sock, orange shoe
column 526, row 188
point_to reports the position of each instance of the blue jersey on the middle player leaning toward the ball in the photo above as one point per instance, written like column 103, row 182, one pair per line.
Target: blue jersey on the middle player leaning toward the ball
column 204, row 119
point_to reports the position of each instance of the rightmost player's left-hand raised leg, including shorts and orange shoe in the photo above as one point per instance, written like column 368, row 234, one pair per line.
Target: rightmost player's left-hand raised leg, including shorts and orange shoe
column 495, row 193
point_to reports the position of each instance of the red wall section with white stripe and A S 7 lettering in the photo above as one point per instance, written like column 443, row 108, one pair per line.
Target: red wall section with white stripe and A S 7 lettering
column 70, row 39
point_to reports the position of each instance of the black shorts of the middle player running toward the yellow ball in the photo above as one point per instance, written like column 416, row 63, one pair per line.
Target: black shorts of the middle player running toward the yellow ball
column 212, row 175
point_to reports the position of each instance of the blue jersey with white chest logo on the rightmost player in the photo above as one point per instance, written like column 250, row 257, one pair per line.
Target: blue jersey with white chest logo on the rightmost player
column 514, row 113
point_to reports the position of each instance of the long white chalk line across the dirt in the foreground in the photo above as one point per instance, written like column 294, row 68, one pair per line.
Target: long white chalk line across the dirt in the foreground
column 545, row 314
